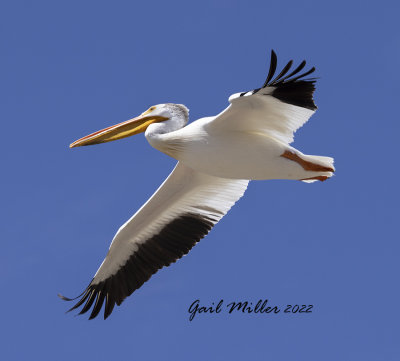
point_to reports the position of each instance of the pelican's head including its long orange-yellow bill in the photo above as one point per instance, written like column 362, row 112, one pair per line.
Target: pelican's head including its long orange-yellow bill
column 176, row 113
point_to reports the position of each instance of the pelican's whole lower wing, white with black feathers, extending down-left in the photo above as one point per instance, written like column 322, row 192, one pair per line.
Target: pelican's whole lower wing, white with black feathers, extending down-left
column 181, row 212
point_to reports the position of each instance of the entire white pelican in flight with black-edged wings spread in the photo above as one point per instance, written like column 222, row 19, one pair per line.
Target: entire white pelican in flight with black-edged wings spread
column 217, row 156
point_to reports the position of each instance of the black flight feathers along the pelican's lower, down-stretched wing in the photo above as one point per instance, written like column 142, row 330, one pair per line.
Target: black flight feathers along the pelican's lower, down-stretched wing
column 171, row 243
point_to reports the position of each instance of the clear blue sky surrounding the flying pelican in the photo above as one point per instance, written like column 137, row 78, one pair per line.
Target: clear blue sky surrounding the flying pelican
column 71, row 68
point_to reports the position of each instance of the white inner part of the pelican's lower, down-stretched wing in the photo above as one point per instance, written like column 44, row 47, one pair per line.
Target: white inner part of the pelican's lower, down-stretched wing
column 184, row 192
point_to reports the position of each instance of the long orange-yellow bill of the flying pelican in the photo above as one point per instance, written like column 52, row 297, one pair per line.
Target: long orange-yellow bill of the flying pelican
column 122, row 130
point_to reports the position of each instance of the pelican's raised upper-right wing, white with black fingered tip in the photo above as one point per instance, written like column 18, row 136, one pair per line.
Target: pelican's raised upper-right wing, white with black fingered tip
column 281, row 106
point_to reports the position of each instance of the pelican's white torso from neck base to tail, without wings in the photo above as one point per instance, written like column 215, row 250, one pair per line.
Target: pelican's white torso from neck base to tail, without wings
column 236, row 154
